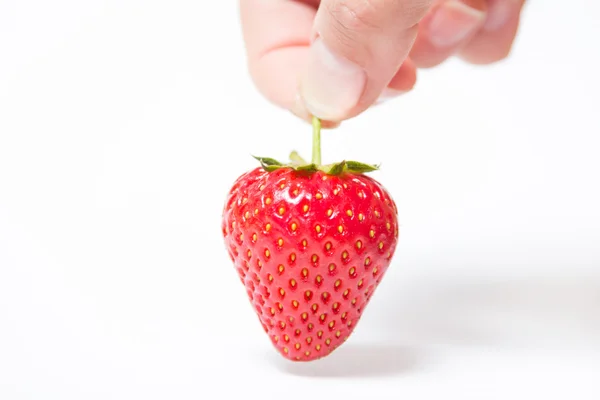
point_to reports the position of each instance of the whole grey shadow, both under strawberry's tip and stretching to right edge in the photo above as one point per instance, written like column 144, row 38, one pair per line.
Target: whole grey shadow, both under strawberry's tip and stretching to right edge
column 536, row 312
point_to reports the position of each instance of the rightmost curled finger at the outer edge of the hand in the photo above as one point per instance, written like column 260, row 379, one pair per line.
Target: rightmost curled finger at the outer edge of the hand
column 495, row 40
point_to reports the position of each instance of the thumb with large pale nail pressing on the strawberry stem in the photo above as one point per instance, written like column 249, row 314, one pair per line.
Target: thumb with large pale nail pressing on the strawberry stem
column 359, row 46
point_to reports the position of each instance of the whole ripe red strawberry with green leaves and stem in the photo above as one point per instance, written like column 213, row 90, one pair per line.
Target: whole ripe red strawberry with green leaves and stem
column 311, row 244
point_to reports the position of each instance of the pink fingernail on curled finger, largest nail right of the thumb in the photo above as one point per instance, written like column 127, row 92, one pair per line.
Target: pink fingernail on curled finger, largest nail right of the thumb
column 453, row 22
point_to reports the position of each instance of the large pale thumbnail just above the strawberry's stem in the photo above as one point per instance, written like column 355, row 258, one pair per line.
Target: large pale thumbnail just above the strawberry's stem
column 332, row 85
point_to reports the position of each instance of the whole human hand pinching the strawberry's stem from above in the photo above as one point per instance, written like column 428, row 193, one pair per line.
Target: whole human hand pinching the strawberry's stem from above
column 334, row 59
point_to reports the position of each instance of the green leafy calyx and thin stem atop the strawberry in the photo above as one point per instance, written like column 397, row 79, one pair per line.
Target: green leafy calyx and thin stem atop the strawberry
column 299, row 164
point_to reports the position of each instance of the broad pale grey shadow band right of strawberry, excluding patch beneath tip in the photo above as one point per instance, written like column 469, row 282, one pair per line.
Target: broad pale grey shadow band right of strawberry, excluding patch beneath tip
column 528, row 312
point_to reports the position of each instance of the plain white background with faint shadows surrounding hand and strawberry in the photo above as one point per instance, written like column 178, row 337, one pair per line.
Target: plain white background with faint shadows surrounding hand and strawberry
column 124, row 122
